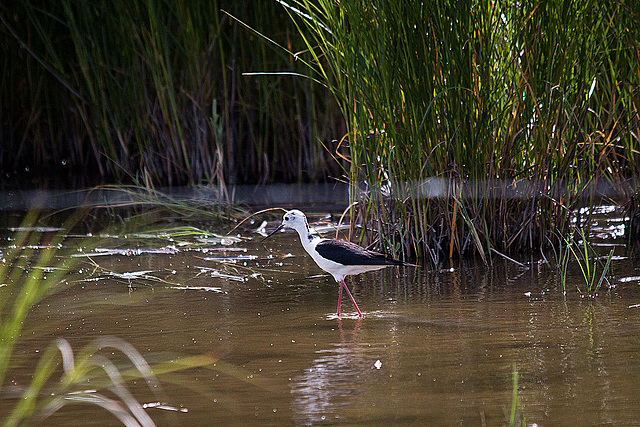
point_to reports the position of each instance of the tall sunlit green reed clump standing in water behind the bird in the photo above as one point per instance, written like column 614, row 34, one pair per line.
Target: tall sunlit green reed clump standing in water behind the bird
column 472, row 92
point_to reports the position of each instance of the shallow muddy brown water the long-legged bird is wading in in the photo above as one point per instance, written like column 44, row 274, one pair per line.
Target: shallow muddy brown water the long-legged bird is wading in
column 436, row 346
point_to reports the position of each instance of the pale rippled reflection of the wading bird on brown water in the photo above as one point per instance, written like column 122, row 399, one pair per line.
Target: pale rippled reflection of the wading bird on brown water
column 334, row 377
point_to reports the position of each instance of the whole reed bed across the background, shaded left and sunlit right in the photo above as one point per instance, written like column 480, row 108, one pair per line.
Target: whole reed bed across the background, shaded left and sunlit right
column 470, row 126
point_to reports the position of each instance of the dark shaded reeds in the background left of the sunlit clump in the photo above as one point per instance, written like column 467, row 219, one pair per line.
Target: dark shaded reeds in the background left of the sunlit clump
column 153, row 93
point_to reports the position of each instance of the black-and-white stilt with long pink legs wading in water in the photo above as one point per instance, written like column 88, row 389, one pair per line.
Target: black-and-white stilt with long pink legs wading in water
column 337, row 257
